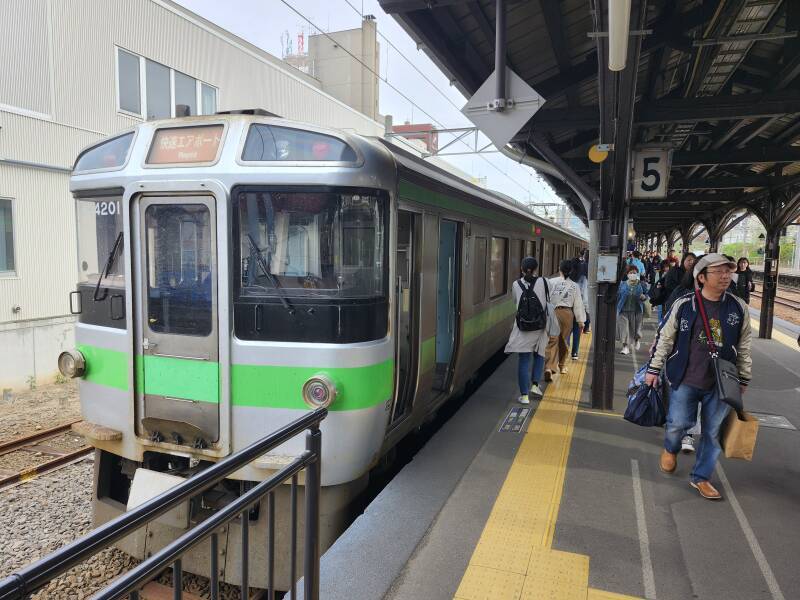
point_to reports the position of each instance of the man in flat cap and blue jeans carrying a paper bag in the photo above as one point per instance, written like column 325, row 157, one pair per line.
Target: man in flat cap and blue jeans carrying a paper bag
column 682, row 351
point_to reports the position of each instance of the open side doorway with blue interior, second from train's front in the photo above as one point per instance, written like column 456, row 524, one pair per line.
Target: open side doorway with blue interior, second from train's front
column 448, row 283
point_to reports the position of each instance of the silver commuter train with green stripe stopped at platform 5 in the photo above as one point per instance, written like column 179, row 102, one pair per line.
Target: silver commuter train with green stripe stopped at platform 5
column 240, row 269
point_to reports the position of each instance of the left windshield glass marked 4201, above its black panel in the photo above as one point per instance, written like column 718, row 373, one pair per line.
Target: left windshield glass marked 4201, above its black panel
column 99, row 226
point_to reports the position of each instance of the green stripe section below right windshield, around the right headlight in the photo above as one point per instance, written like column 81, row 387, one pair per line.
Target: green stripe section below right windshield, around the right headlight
column 281, row 387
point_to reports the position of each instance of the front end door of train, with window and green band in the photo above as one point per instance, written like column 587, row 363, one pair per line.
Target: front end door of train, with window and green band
column 177, row 368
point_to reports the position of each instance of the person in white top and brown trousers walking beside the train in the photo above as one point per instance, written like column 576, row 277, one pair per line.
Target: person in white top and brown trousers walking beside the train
column 568, row 304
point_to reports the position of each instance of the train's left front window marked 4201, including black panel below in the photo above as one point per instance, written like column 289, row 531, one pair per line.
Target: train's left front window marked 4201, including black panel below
column 101, row 274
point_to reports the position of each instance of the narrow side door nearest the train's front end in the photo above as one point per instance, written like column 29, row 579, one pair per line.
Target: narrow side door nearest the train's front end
column 407, row 313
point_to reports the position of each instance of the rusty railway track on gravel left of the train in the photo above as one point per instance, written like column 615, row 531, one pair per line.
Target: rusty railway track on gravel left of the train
column 34, row 443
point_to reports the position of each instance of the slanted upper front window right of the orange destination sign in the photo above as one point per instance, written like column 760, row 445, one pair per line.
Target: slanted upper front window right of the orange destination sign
column 271, row 143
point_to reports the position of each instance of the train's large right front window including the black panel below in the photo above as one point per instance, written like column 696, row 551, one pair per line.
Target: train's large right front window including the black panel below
column 322, row 255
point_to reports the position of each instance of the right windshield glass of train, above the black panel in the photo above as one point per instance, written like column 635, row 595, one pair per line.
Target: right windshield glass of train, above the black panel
column 311, row 244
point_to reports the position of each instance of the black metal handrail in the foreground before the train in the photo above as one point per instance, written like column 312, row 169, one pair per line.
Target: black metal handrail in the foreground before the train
column 28, row 580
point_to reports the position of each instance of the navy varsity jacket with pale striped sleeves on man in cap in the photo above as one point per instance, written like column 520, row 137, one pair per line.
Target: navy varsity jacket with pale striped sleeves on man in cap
column 671, row 349
